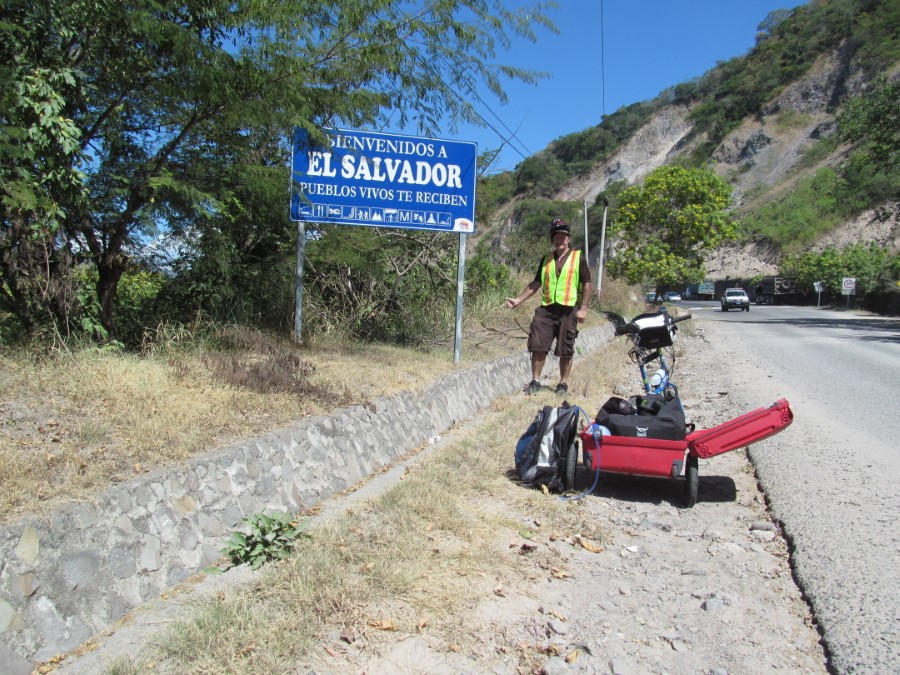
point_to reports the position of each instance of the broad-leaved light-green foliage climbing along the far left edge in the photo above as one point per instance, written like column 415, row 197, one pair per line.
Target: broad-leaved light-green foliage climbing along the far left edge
column 39, row 148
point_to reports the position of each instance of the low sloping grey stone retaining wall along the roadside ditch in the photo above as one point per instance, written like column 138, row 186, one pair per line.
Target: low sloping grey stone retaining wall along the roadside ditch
column 68, row 575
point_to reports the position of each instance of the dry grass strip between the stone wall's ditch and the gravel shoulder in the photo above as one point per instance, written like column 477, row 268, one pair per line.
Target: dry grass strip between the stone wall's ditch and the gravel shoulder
column 418, row 558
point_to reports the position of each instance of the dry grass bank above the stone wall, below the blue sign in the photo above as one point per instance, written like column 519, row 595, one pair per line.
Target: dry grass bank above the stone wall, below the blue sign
column 74, row 424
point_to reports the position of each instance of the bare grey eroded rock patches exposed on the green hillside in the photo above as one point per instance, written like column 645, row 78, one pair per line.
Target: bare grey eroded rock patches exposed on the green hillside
column 762, row 158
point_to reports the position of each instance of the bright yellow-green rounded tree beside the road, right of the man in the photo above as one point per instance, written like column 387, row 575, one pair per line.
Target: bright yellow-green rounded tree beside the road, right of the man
column 664, row 228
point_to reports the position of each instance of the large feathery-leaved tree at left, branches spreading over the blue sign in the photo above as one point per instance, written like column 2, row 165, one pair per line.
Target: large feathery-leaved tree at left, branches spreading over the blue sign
column 152, row 104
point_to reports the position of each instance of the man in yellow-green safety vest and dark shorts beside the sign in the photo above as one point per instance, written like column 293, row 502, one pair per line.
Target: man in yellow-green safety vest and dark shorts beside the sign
column 562, row 307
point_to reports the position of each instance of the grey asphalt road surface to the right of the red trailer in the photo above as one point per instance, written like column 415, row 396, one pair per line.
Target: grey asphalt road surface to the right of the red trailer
column 833, row 477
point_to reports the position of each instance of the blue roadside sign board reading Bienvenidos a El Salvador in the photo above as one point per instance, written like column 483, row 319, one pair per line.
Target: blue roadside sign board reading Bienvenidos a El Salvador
column 384, row 180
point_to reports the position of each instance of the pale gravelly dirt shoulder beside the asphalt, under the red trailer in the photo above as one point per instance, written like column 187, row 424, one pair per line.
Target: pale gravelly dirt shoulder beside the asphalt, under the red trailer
column 676, row 590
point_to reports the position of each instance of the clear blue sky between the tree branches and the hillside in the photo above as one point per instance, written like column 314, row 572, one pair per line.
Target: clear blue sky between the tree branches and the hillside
column 647, row 46
